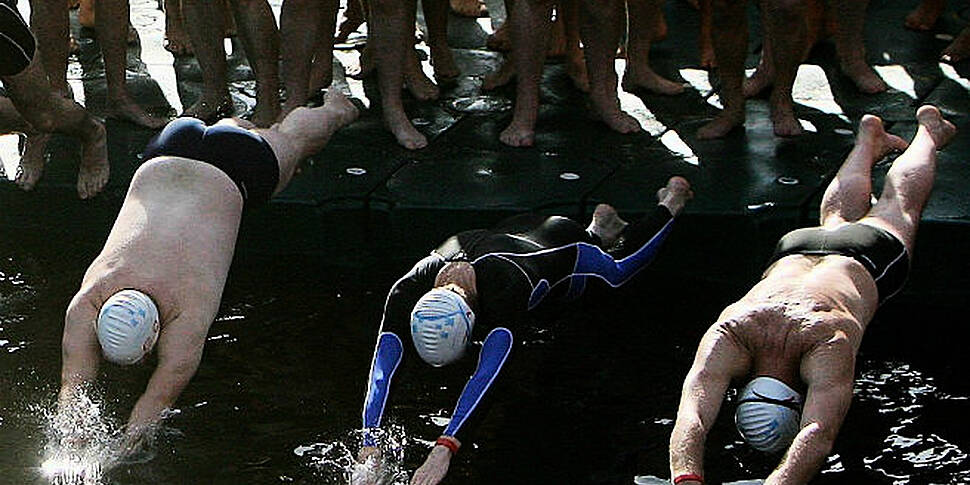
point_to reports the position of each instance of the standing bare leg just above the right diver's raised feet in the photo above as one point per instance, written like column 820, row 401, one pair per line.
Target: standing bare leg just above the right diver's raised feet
column 850, row 46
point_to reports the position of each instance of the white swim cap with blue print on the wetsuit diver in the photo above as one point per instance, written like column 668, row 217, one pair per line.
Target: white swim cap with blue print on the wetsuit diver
column 441, row 325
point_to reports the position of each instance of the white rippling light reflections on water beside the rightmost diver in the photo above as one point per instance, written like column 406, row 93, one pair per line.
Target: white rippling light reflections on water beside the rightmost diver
column 903, row 394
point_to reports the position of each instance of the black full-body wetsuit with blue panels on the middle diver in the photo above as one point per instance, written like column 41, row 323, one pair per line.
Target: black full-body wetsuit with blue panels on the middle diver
column 522, row 263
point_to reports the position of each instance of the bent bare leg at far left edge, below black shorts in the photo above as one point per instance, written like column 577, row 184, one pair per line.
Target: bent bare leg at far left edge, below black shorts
column 47, row 112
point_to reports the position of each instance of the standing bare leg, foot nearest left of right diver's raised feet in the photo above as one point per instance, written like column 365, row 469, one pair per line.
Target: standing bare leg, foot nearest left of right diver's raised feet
column 786, row 33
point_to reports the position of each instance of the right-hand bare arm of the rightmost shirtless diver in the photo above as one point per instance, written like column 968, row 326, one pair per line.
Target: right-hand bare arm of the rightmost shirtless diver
column 829, row 373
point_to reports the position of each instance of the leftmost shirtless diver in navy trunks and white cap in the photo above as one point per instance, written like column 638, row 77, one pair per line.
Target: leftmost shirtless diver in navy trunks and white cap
column 161, row 273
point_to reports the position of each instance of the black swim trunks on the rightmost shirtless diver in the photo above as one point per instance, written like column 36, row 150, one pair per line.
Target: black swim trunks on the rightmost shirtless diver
column 882, row 254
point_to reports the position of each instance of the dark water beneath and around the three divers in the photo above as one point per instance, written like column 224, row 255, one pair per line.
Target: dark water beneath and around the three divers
column 591, row 400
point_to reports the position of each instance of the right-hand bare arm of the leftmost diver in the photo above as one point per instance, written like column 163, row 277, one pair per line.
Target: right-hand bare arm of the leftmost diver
column 179, row 353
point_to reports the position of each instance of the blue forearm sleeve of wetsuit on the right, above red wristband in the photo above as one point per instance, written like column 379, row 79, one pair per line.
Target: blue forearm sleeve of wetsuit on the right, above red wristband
column 471, row 407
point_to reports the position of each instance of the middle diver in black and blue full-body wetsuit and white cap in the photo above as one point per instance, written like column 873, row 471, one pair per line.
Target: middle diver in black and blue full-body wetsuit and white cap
column 476, row 286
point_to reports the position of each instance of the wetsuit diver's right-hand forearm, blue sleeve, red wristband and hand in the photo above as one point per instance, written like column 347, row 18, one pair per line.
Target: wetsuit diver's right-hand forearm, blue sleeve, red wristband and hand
column 491, row 360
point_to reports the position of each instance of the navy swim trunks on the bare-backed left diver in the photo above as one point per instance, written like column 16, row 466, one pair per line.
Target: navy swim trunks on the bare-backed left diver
column 241, row 154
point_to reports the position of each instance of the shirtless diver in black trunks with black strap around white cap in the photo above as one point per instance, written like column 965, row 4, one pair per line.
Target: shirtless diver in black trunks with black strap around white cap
column 796, row 333
